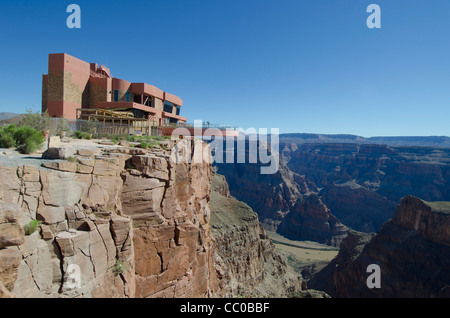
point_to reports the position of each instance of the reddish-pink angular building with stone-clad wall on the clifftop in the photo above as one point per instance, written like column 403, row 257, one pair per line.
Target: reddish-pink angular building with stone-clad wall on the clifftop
column 73, row 85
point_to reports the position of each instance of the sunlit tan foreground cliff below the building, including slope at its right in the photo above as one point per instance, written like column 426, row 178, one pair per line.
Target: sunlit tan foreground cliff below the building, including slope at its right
column 100, row 221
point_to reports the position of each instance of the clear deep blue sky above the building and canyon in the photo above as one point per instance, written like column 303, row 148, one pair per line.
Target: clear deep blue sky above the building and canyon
column 297, row 65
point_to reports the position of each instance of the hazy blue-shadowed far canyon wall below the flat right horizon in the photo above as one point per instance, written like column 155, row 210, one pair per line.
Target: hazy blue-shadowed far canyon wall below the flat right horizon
column 362, row 184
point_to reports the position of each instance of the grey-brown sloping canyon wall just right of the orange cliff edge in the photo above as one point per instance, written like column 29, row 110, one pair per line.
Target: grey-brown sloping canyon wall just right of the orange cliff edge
column 247, row 262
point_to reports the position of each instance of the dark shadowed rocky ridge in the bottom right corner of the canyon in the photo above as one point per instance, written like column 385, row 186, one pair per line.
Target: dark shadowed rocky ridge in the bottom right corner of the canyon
column 411, row 250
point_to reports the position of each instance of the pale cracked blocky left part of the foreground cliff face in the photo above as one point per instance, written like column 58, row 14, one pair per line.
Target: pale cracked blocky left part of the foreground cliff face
column 81, row 235
